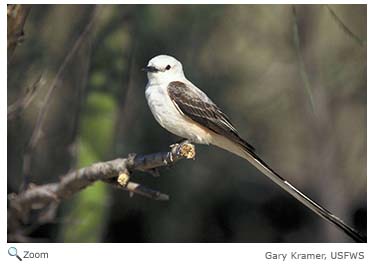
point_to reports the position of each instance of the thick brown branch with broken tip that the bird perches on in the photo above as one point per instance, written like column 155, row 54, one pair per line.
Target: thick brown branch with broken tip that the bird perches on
column 115, row 172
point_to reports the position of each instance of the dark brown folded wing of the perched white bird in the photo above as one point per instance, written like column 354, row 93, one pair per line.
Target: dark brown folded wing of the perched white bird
column 195, row 106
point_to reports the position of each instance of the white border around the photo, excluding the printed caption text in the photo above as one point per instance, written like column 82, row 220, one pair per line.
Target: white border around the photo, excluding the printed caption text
column 168, row 254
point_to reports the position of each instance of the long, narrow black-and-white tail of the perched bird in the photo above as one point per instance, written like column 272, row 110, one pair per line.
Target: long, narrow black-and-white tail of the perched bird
column 249, row 155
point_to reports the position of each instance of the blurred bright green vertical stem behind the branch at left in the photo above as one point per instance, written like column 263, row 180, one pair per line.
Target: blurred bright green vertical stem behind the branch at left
column 87, row 215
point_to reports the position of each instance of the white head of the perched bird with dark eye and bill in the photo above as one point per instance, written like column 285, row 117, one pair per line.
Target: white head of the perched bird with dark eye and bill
column 164, row 69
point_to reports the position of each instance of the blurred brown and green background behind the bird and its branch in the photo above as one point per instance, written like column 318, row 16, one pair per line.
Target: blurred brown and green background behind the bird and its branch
column 292, row 79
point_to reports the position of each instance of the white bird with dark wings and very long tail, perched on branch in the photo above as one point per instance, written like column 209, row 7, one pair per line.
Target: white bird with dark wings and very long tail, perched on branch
column 183, row 109
